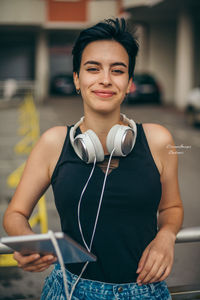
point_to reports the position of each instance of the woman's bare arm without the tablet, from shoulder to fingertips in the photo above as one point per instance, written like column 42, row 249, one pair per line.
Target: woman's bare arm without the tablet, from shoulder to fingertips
column 157, row 259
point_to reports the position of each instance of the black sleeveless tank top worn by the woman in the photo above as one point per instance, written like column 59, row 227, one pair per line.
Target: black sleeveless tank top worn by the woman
column 128, row 217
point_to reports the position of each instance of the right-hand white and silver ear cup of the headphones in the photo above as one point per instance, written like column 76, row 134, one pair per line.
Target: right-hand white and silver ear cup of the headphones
column 122, row 139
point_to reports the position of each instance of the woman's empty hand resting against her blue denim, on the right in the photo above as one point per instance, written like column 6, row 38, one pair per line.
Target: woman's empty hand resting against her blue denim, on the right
column 157, row 259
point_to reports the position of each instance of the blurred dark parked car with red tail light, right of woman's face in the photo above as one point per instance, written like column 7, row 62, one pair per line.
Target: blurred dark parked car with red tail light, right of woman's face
column 144, row 89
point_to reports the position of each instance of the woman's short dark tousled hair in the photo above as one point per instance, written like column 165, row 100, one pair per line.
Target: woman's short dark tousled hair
column 110, row 29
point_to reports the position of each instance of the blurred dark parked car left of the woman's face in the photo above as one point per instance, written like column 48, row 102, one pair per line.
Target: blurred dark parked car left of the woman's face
column 63, row 84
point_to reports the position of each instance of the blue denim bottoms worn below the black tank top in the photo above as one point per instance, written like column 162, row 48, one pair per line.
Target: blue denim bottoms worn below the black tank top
column 96, row 290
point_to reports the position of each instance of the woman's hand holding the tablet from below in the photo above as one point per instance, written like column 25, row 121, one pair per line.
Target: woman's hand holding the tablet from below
column 34, row 262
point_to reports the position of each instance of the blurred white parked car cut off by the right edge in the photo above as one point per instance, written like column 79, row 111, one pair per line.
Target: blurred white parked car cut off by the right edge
column 192, row 111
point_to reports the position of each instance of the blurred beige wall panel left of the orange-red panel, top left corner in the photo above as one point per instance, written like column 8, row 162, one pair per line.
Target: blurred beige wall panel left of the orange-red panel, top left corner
column 22, row 12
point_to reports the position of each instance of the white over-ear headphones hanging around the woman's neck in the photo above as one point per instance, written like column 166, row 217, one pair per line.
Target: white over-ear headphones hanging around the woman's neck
column 88, row 146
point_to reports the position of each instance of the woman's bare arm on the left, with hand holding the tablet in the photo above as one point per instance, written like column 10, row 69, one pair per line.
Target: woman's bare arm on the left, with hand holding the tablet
column 34, row 182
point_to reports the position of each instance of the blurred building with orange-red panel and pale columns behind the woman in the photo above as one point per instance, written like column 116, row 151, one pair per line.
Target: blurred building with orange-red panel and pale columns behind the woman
column 37, row 38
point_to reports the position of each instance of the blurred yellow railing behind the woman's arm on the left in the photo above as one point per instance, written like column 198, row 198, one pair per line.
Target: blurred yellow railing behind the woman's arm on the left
column 30, row 130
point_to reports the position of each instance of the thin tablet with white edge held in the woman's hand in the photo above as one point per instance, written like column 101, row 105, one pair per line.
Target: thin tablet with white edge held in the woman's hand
column 72, row 252
